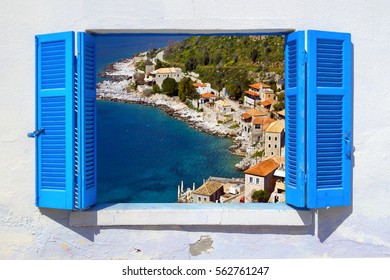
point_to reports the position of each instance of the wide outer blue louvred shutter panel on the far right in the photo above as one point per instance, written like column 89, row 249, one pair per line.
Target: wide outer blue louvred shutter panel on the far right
column 329, row 119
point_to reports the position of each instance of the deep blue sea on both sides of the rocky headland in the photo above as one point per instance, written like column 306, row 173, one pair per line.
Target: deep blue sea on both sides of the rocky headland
column 143, row 154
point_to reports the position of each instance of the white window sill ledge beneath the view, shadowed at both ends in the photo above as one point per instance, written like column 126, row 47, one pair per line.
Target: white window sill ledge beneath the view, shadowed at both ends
column 126, row 214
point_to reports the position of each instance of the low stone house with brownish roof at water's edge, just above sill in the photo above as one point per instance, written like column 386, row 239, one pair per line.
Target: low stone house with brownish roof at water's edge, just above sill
column 210, row 191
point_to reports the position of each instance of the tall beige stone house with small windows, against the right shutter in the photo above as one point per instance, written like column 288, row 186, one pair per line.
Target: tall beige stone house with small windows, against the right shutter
column 274, row 139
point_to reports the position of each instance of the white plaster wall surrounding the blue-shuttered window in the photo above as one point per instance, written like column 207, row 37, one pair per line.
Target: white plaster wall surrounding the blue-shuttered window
column 359, row 231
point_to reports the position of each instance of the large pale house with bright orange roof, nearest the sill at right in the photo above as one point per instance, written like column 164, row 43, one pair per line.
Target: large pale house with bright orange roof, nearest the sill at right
column 260, row 177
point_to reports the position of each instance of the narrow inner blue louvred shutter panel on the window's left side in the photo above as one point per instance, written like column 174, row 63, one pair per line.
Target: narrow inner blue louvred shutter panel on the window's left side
column 86, row 190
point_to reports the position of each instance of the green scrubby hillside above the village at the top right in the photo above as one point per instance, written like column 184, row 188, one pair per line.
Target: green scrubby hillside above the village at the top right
column 227, row 61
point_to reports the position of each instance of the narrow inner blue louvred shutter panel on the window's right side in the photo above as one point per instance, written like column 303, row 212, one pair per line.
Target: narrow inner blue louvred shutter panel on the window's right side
column 294, row 55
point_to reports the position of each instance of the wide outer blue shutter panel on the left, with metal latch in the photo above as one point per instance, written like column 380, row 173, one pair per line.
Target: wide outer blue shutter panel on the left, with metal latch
column 56, row 119
